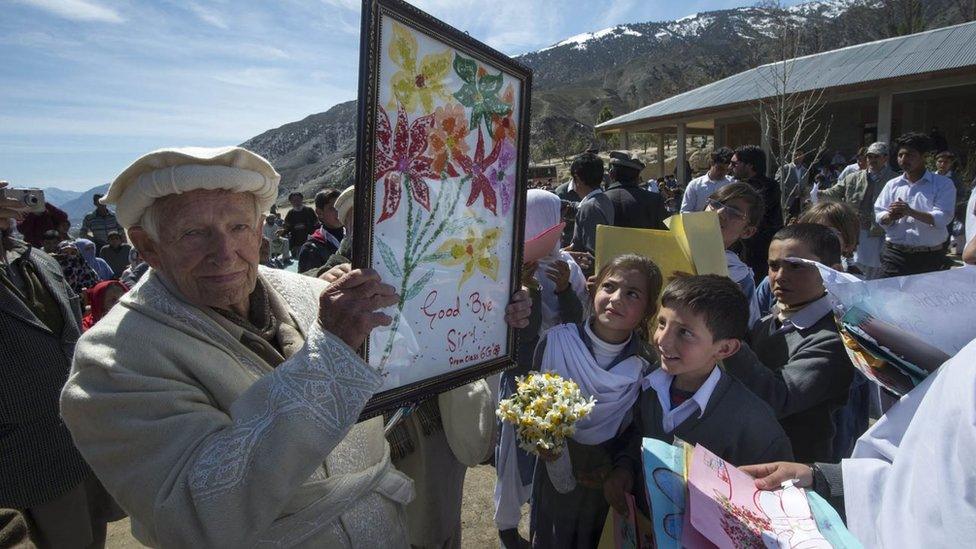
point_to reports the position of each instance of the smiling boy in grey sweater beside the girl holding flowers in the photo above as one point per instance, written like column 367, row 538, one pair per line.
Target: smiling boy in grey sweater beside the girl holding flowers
column 701, row 322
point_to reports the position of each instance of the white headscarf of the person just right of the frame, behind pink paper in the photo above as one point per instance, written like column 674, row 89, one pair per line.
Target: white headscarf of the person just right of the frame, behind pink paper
column 542, row 212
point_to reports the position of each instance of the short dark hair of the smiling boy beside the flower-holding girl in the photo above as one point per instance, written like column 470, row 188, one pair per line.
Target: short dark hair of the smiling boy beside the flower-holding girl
column 717, row 299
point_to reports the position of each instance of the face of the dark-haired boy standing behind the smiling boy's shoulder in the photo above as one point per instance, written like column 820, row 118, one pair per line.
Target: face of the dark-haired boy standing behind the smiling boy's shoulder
column 793, row 283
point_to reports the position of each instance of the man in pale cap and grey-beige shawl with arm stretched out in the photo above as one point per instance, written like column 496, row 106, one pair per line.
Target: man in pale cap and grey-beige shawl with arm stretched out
column 860, row 189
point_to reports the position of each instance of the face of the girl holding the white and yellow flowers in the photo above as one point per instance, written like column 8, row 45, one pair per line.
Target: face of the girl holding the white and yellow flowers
column 620, row 304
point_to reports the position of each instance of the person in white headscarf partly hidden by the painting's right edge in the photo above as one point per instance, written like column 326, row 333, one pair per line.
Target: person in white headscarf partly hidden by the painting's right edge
column 558, row 290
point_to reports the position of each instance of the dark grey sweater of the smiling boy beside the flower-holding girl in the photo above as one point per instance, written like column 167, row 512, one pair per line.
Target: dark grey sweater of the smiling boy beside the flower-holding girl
column 736, row 425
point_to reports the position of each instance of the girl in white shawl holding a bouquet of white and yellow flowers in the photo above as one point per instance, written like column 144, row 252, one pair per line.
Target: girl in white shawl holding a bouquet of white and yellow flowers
column 605, row 356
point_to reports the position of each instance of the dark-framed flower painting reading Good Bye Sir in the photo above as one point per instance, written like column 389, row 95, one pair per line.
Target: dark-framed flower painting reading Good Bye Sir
column 440, row 197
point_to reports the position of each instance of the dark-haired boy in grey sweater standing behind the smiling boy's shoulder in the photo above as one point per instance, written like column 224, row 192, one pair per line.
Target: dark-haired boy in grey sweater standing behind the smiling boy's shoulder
column 795, row 360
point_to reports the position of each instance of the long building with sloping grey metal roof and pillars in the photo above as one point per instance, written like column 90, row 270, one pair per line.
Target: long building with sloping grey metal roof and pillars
column 871, row 91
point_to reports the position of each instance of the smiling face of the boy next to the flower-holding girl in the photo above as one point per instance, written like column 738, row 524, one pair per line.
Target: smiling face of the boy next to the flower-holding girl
column 686, row 346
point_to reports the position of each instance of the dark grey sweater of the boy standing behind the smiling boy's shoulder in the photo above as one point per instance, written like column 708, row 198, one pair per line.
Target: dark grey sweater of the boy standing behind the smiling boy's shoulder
column 804, row 375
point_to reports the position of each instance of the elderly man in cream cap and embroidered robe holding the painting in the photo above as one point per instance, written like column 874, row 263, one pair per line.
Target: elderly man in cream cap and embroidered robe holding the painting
column 218, row 402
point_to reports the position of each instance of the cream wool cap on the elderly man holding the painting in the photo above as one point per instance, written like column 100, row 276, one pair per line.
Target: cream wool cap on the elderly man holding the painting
column 175, row 171
